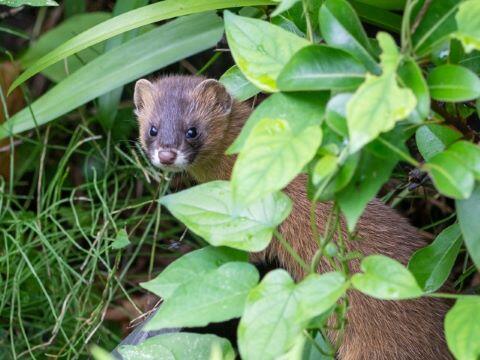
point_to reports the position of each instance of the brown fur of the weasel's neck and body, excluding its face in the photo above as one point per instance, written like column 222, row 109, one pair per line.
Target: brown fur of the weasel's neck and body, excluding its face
column 376, row 329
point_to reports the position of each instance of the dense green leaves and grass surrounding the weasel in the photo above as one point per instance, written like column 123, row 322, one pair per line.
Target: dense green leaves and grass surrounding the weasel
column 363, row 93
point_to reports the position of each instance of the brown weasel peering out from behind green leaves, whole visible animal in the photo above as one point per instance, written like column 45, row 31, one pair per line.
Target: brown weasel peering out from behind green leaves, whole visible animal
column 187, row 122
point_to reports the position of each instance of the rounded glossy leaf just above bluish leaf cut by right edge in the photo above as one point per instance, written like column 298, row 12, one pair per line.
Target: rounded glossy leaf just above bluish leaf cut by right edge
column 450, row 177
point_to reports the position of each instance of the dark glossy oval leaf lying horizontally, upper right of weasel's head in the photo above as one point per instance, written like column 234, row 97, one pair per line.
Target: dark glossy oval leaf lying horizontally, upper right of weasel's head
column 320, row 67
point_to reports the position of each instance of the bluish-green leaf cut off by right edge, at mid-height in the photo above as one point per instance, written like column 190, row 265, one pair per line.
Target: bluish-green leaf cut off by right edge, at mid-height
column 467, row 213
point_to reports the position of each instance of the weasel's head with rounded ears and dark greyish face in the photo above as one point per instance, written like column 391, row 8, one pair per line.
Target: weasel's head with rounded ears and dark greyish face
column 183, row 120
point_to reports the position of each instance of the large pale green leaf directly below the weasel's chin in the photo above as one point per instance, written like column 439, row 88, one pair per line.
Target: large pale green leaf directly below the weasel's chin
column 208, row 211
